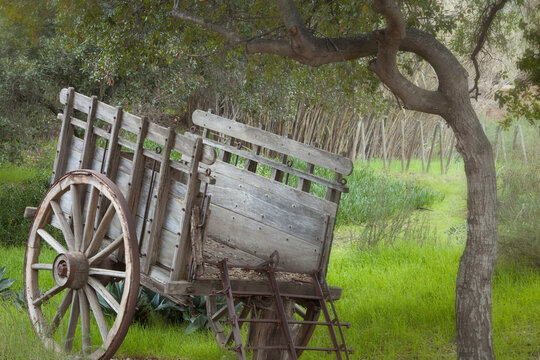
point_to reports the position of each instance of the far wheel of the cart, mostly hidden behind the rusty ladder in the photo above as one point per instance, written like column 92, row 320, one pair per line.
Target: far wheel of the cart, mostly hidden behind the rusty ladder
column 303, row 310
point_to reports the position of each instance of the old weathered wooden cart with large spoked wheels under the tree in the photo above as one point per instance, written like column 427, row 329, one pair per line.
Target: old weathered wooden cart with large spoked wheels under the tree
column 135, row 203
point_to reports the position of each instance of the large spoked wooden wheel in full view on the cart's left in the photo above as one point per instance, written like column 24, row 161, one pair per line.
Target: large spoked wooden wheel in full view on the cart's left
column 69, row 268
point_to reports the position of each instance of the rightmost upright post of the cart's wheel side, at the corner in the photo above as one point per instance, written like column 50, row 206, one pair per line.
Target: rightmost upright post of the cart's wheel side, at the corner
column 182, row 255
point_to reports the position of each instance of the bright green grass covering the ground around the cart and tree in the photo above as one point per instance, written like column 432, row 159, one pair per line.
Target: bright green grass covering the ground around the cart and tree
column 399, row 296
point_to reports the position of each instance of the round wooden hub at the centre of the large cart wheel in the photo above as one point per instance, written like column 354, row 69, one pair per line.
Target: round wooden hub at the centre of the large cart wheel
column 70, row 270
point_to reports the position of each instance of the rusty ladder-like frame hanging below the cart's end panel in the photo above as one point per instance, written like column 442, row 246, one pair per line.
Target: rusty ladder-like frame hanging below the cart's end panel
column 322, row 296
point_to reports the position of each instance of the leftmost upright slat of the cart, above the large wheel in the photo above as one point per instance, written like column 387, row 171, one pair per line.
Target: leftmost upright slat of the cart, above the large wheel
column 66, row 133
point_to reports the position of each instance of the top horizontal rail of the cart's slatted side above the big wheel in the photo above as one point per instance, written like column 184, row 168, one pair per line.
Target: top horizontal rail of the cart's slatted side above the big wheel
column 132, row 123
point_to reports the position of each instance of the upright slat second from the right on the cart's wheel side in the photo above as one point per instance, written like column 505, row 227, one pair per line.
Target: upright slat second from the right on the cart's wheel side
column 157, row 220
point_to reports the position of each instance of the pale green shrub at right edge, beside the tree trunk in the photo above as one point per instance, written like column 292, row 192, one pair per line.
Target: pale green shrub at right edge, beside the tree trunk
column 519, row 211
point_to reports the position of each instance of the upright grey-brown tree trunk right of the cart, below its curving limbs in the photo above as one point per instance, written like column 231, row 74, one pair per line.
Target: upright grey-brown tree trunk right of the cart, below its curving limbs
column 474, row 279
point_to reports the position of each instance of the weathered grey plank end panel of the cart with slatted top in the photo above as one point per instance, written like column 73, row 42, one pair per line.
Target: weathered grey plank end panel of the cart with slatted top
column 261, row 204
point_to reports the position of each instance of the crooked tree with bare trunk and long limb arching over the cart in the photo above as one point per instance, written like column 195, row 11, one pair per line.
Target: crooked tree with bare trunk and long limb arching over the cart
column 450, row 100
